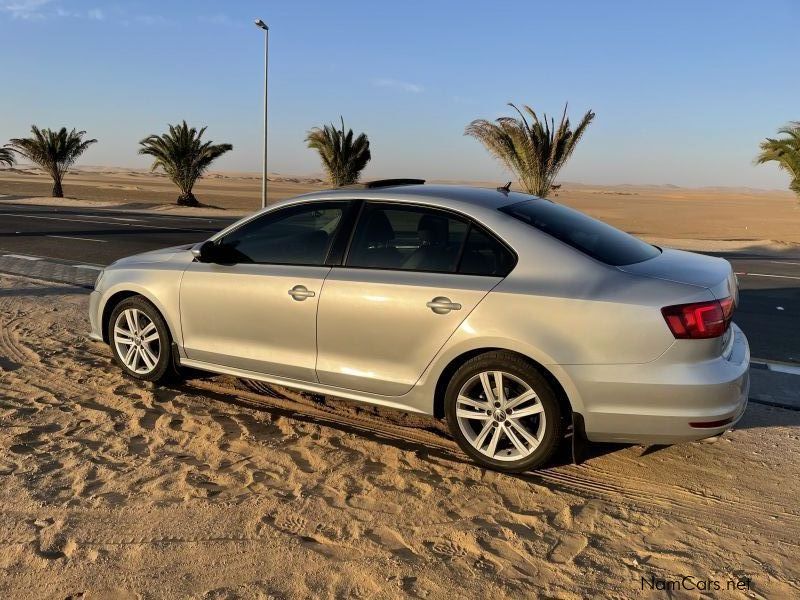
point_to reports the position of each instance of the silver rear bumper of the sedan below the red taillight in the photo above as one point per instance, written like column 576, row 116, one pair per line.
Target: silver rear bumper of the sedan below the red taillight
column 665, row 402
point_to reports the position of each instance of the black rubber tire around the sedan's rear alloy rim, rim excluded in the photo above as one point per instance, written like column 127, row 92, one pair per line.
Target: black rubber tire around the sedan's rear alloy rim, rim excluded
column 513, row 364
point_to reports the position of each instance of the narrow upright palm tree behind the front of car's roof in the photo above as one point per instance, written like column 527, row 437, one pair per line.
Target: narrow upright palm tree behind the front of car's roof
column 342, row 156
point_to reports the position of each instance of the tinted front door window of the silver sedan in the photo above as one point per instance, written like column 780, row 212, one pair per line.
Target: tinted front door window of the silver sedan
column 298, row 235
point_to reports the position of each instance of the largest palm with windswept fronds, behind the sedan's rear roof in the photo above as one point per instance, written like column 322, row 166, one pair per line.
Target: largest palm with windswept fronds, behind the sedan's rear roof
column 535, row 152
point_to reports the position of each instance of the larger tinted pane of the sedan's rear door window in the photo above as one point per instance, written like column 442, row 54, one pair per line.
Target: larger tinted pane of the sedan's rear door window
column 407, row 238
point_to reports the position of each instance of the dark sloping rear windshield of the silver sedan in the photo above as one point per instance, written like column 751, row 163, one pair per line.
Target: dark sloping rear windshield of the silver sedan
column 590, row 236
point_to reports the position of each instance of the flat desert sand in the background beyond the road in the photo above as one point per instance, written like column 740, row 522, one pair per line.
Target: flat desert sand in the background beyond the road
column 746, row 218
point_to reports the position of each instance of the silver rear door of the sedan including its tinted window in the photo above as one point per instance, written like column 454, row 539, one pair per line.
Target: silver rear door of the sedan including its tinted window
column 411, row 276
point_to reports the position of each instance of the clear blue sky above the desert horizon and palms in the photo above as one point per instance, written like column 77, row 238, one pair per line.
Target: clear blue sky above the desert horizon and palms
column 683, row 91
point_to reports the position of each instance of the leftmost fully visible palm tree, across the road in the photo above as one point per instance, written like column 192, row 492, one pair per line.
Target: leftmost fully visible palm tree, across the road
column 54, row 151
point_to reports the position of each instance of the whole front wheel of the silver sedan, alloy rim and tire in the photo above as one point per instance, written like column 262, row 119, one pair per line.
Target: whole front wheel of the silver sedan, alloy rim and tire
column 140, row 339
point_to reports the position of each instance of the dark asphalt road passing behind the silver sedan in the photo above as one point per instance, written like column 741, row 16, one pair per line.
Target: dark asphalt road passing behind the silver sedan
column 769, row 310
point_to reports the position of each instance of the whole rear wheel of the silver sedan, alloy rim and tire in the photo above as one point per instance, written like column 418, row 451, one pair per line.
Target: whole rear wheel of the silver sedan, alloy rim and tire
column 503, row 412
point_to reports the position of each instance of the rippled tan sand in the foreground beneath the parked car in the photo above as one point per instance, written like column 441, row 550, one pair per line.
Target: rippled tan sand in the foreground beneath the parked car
column 111, row 488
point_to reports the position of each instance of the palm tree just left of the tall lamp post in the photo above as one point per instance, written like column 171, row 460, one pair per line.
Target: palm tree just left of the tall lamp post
column 183, row 157
